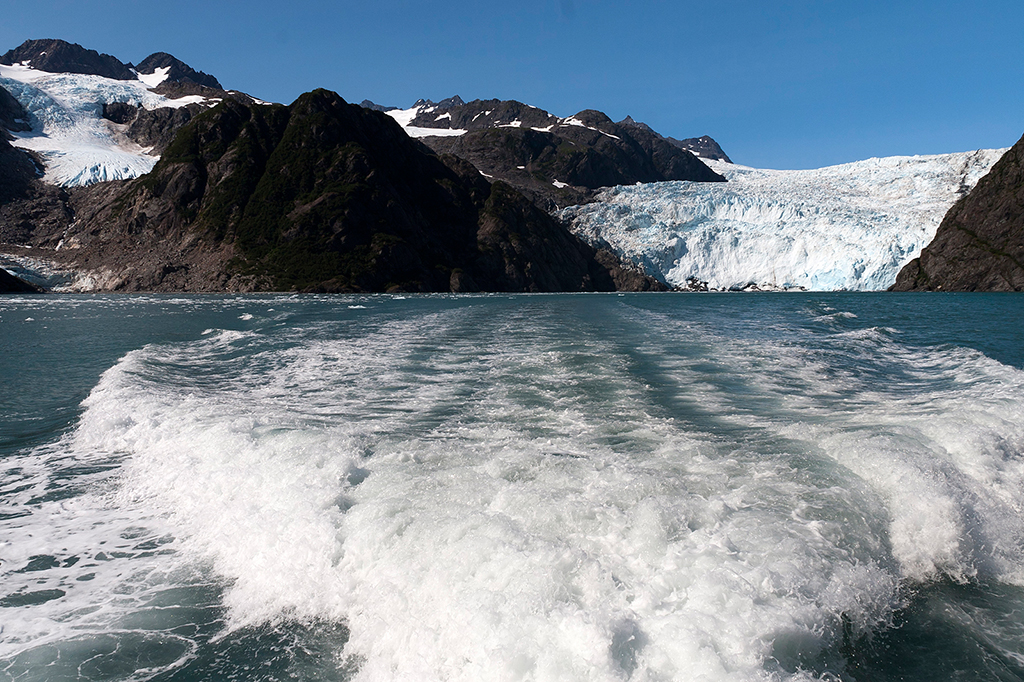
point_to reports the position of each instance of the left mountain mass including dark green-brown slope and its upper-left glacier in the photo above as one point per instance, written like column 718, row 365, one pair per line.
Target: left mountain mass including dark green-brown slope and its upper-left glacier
column 154, row 179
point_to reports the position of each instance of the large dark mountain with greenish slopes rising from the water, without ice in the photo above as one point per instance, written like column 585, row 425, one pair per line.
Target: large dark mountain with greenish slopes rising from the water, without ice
column 317, row 196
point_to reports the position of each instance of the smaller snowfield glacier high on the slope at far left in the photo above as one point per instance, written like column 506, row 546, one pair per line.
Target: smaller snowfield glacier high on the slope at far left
column 77, row 146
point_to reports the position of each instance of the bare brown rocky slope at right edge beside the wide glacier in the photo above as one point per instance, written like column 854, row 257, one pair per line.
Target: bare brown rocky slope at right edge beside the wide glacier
column 979, row 246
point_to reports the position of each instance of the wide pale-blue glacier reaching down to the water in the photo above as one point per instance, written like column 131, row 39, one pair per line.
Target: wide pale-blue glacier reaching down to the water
column 851, row 227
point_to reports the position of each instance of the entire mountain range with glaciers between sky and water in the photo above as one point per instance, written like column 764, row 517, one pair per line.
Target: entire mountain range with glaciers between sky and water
column 153, row 178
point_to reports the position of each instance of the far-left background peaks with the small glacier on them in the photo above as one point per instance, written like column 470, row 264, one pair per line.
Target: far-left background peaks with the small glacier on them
column 98, row 122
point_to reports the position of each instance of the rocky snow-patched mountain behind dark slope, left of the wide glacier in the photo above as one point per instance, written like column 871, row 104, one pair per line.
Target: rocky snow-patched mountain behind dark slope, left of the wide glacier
column 554, row 161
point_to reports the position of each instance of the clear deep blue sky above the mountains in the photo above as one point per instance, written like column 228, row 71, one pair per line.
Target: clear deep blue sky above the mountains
column 779, row 83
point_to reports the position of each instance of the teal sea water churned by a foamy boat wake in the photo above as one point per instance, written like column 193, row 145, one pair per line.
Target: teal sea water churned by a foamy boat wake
column 797, row 487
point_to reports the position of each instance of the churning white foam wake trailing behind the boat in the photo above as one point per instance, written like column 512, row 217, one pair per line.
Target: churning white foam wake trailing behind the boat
column 479, row 499
